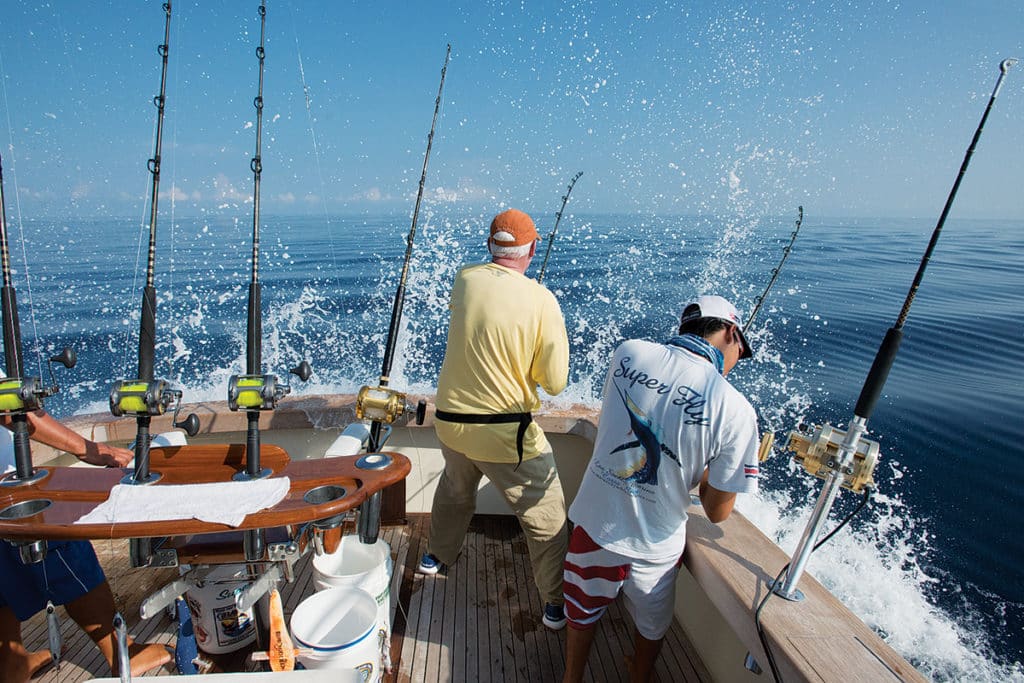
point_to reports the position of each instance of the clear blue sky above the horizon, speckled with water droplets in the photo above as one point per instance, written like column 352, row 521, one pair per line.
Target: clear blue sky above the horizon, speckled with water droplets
column 862, row 109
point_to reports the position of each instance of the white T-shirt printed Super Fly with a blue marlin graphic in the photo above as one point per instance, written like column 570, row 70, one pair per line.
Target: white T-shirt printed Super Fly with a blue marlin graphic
column 667, row 416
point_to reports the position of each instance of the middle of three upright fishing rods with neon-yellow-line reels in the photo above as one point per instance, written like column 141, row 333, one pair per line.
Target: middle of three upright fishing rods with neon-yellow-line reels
column 146, row 397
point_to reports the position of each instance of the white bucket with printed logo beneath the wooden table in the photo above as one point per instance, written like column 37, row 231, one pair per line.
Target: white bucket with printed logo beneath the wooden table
column 220, row 626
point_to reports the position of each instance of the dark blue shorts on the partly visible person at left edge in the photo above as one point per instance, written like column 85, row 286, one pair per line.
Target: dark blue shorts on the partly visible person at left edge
column 70, row 571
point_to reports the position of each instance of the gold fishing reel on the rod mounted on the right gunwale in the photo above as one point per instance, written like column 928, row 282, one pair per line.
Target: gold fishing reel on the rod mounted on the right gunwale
column 819, row 454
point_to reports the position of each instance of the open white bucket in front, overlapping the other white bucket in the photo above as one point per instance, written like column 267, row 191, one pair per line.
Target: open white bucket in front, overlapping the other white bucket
column 338, row 630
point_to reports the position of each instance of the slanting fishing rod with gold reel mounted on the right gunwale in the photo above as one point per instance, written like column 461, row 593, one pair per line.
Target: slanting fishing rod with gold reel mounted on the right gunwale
column 845, row 460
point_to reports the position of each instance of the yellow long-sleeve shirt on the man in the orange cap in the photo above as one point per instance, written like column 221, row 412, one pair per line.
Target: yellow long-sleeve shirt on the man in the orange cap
column 506, row 337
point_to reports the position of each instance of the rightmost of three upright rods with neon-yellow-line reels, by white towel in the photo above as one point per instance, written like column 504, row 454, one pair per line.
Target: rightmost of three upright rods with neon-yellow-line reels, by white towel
column 255, row 392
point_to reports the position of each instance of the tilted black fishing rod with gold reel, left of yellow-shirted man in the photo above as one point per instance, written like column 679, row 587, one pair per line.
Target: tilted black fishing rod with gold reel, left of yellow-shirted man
column 382, row 405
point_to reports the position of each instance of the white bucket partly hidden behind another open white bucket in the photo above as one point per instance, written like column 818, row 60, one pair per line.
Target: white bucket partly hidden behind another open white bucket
column 357, row 565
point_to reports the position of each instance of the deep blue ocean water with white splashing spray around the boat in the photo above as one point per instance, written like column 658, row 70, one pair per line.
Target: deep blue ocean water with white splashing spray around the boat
column 932, row 565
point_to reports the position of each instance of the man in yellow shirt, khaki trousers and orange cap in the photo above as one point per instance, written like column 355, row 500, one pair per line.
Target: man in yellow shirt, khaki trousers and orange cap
column 506, row 337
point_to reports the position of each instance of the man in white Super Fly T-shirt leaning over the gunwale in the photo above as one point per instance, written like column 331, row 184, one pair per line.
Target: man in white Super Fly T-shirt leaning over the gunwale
column 670, row 423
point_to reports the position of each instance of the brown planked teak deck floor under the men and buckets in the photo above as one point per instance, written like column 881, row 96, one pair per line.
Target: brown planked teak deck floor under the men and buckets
column 479, row 622
